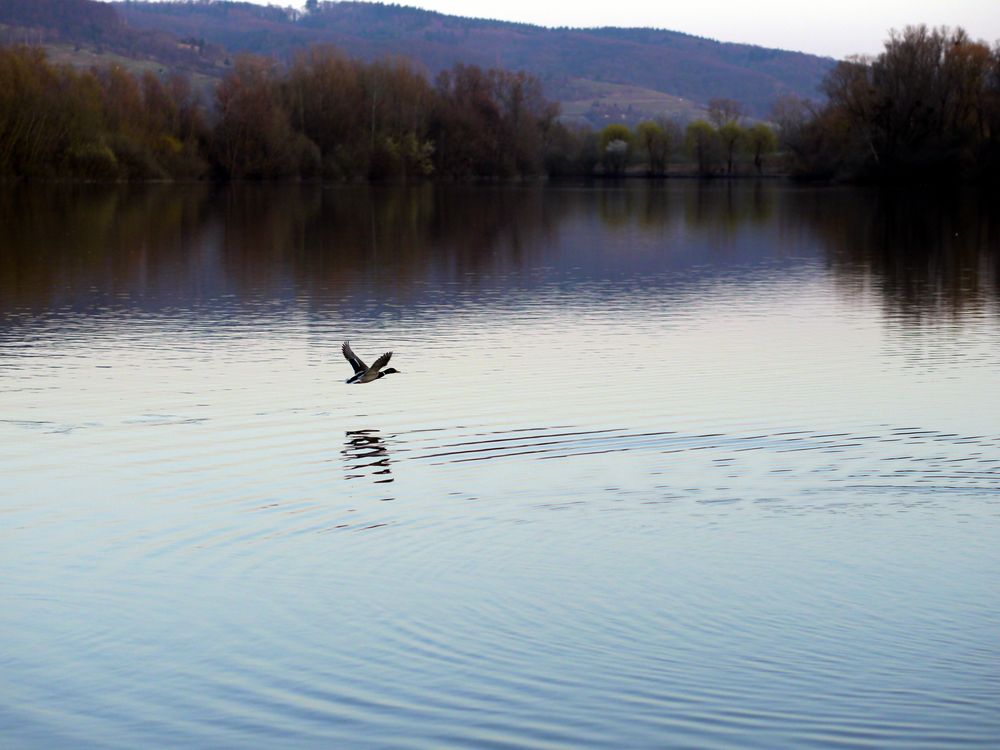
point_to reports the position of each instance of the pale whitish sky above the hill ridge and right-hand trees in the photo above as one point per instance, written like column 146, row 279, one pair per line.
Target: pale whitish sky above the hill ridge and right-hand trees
column 830, row 27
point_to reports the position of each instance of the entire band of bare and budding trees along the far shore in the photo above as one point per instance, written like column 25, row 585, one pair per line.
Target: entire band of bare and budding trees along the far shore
column 927, row 107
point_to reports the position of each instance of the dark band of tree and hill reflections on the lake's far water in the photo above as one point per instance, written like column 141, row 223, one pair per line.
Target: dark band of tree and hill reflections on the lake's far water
column 91, row 248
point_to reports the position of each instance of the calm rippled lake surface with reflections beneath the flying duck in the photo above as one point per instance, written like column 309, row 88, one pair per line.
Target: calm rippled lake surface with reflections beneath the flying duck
column 666, row 465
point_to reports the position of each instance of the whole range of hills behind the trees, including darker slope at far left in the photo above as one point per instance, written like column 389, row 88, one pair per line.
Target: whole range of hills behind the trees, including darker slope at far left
column 597, row 74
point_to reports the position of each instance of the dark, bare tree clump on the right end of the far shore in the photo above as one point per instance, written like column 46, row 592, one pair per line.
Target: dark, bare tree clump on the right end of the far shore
column 928, row 106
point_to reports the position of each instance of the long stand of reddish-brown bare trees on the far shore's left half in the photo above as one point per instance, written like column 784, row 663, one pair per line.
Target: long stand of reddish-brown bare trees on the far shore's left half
column 322, row 116
